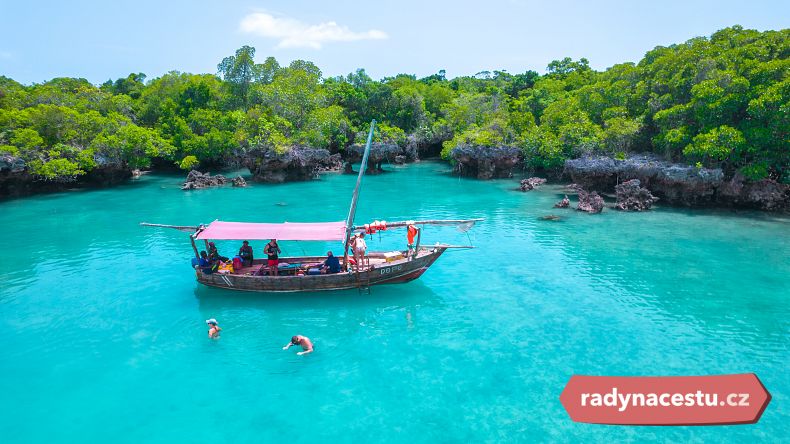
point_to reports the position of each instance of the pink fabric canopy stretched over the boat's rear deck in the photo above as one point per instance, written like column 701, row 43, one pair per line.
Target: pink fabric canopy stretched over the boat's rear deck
column 320, row 231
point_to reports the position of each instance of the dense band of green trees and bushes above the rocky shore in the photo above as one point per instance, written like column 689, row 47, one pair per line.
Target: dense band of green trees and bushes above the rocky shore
column 718, row 101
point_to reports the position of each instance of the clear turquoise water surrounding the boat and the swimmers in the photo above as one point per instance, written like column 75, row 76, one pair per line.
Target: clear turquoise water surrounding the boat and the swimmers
column 104, row 337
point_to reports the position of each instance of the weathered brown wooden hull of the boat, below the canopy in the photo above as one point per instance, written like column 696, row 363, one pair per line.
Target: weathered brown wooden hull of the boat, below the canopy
column 396, row 272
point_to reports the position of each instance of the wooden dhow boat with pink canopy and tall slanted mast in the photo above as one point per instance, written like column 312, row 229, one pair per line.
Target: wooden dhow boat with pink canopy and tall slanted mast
column 299, row 273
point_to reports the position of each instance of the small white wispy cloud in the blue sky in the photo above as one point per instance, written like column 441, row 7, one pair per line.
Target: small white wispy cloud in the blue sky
column 295, row 34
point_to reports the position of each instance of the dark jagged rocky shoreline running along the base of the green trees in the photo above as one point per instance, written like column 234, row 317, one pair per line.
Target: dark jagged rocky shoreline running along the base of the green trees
column 638, row 181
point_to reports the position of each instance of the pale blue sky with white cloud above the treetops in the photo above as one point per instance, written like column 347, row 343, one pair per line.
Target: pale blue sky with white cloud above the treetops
column 99, row 40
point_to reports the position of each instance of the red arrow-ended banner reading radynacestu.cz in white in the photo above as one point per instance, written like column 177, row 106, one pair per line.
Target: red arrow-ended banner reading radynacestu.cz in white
column 670, row 400
